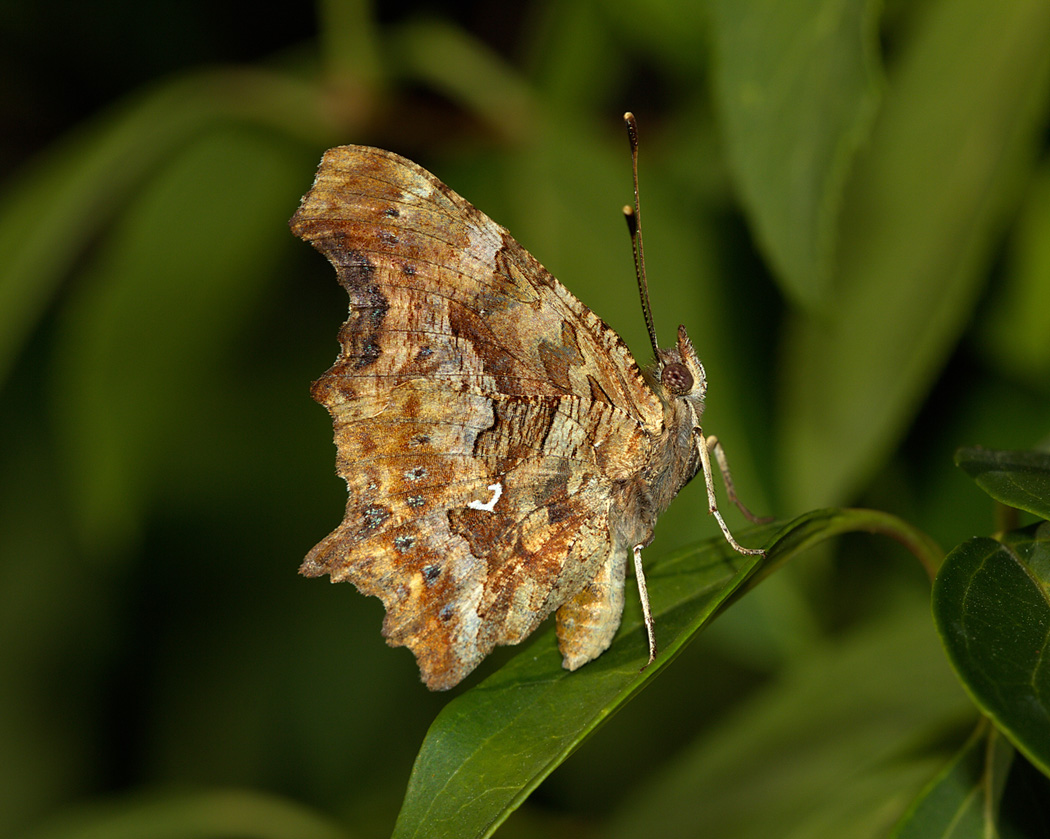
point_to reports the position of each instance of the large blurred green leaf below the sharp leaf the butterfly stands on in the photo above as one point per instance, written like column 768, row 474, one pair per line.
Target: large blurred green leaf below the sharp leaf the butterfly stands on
column 834, row 746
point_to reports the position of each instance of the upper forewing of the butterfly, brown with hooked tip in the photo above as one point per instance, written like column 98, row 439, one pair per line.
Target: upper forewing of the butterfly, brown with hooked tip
column 440, row 290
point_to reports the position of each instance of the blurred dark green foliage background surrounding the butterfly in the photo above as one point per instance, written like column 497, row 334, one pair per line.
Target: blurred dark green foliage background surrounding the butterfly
column 847, row 203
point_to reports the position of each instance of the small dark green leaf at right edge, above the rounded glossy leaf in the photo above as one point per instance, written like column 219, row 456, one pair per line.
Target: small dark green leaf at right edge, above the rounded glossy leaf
column 1018, row 479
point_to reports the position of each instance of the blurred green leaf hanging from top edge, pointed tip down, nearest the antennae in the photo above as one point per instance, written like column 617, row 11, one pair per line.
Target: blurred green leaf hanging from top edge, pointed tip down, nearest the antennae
column 797, row 88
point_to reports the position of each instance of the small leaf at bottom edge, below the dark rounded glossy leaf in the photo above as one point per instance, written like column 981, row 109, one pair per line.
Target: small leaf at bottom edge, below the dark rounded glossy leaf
column 962, row 802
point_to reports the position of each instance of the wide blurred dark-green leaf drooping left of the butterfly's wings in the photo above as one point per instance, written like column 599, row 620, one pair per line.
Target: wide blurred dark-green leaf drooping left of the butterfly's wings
column 149, row 341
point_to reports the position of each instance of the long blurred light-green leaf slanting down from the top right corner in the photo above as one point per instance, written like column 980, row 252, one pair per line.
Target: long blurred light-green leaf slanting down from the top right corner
column 926, row 205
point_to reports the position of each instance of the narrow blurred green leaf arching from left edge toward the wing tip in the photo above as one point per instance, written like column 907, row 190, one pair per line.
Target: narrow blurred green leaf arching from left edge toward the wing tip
column 64, row 203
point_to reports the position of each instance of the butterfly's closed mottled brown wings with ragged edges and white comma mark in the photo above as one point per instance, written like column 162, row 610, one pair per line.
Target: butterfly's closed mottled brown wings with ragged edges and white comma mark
column 482, row 416
